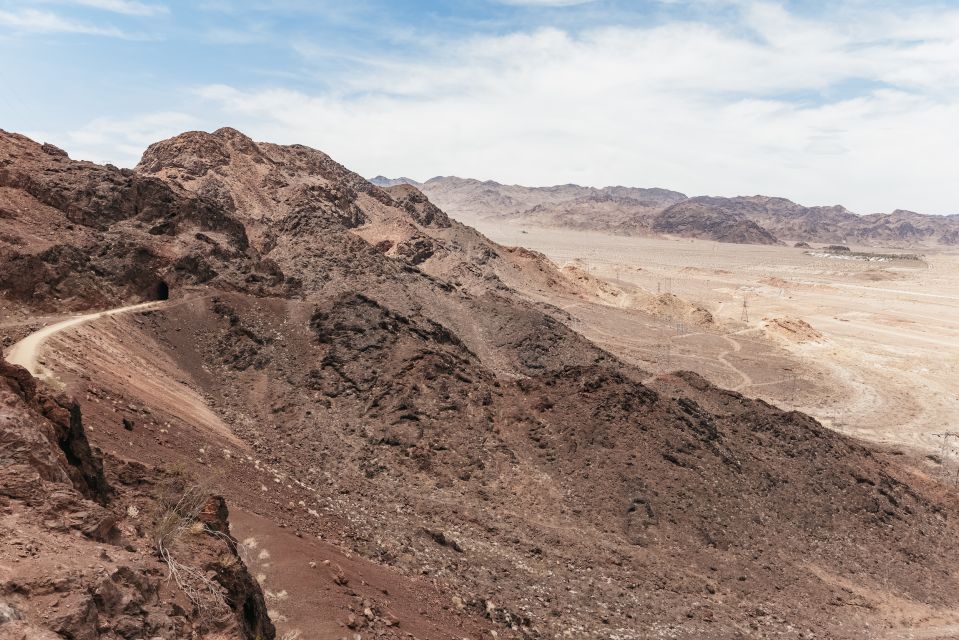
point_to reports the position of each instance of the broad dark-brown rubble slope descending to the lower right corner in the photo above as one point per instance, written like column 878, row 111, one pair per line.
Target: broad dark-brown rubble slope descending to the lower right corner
column 577, row 499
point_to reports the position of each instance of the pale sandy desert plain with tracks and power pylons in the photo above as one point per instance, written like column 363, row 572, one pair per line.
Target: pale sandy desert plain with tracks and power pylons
column 879, row 358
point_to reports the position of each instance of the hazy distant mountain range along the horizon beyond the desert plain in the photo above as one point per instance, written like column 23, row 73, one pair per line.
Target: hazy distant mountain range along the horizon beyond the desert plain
column 636, row 211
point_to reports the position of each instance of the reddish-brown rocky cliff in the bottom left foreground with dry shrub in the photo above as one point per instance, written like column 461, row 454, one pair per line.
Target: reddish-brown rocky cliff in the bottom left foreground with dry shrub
column 89, row 553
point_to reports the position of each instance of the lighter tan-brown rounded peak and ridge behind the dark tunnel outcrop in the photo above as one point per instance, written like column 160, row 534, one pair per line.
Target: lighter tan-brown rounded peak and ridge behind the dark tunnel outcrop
column 300, row 195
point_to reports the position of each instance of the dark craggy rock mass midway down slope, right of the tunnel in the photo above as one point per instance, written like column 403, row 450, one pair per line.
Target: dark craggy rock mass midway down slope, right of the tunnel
column 413, row 373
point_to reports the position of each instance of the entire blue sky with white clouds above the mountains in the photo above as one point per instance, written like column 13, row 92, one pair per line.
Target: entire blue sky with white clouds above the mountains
column 852, row 102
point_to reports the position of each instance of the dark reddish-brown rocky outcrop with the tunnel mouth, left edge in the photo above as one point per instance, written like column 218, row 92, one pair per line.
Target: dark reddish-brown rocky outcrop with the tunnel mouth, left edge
column 79, row 235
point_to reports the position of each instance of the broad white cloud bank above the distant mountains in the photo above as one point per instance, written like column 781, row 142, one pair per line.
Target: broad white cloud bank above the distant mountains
column 861, row 112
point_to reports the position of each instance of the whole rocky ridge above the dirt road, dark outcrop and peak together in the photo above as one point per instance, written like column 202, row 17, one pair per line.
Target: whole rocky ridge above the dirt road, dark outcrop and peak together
column 78, row 235
